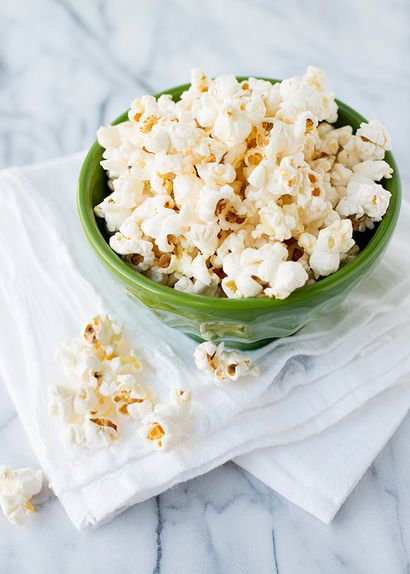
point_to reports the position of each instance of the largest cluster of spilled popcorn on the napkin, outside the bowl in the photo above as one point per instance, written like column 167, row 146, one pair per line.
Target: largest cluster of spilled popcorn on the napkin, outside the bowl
column 103, row 386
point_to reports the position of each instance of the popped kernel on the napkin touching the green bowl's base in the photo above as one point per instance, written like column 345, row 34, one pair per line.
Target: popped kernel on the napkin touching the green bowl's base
column 223, row 365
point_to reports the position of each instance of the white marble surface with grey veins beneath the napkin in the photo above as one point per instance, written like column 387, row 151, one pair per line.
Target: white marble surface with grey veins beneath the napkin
column 68, row 66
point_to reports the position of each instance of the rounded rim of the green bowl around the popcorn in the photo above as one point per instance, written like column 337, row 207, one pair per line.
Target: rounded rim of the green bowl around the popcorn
column 134, row 278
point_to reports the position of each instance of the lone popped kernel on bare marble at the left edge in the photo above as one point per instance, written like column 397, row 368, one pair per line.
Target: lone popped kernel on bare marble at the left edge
column 17, row 487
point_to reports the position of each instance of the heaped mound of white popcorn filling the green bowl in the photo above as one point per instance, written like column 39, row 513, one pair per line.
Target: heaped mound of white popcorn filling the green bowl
column 241, row 189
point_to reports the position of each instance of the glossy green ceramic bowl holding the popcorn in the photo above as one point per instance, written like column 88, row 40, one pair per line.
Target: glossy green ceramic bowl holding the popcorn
column 242, row 323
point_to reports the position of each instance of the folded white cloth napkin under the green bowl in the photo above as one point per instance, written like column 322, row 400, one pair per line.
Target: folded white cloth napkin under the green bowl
column 51, row 283
